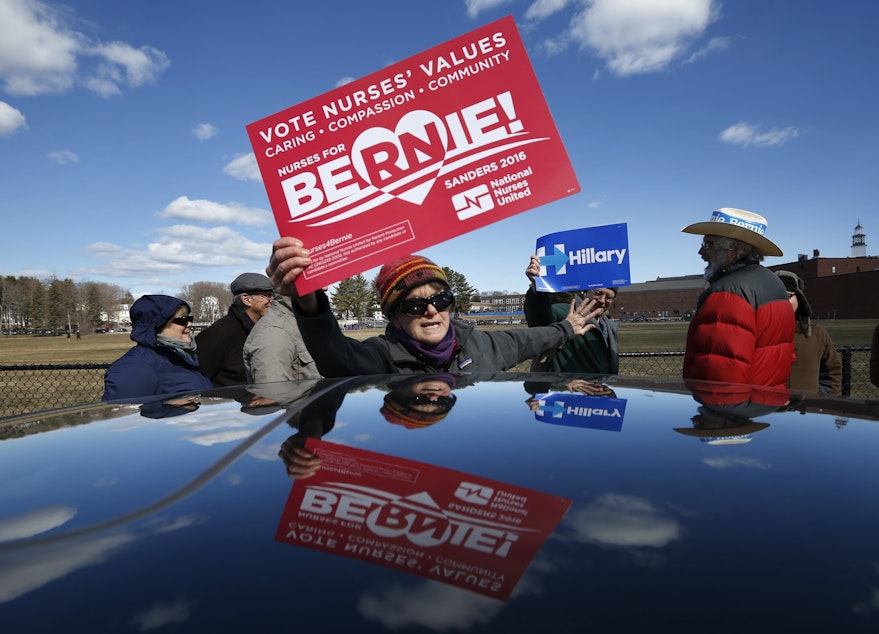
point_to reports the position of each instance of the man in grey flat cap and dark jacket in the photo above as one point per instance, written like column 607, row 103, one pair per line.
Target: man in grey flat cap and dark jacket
column 221, row 345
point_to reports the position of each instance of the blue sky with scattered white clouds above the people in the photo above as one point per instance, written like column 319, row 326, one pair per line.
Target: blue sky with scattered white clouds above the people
column 125, row 157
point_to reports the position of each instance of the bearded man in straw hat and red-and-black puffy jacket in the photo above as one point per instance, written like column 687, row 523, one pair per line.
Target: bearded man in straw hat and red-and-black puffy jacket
column 743, row 328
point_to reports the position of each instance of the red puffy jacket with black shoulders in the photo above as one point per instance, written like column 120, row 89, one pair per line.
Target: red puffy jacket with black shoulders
column 743, row 330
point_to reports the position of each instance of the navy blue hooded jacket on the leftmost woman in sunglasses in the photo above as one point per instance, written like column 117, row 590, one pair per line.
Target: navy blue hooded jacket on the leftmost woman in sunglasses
column 151, row 368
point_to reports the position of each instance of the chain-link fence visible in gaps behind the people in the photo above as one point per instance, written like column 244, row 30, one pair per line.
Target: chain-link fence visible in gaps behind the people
column 31, row 388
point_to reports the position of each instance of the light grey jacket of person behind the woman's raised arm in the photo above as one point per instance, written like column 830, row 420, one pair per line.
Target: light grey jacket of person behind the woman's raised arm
column 274, row 350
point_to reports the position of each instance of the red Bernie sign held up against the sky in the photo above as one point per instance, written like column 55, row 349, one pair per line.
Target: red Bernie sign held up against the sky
column 445, row 142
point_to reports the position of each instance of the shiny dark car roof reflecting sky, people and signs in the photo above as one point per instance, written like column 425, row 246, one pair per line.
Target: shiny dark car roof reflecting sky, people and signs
column 516, row 503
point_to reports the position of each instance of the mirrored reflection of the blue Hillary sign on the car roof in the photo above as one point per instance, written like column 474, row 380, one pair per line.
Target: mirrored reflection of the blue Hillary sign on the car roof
column 581, row 410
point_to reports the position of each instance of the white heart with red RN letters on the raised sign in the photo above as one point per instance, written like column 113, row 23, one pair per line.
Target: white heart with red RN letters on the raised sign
column 403, row 163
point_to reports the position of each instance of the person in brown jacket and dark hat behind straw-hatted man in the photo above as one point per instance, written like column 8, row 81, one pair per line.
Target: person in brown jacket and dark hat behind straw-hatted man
column 817, row 368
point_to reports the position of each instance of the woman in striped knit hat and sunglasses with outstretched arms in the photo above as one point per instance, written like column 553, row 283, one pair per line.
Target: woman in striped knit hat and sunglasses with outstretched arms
column 421, row 336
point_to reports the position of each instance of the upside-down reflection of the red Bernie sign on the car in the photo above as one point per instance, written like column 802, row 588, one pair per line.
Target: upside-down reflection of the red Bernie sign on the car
column 425, row 520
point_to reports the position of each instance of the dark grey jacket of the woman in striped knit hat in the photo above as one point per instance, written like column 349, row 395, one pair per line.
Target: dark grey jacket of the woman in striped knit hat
column 478, row 350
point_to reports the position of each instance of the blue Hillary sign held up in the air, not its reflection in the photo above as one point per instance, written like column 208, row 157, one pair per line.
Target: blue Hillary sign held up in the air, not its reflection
column 580, row 259
